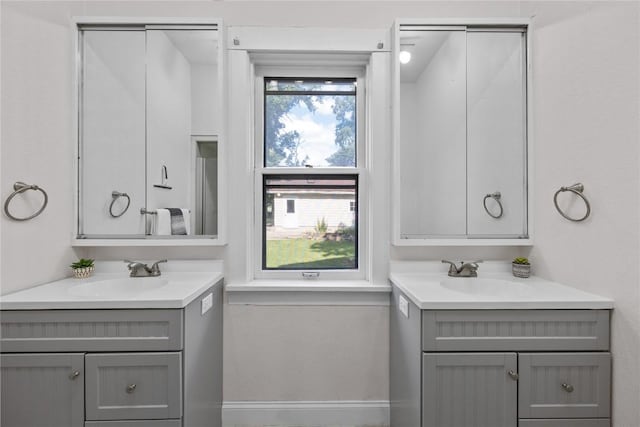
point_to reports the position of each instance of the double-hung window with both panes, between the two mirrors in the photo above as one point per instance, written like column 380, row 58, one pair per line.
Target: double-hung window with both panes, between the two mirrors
column 309, row 174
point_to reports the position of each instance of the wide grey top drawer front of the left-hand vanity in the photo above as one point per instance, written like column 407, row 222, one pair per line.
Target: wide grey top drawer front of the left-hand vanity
column 91, row 330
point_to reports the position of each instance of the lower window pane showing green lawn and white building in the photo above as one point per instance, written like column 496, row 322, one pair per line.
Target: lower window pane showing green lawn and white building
column 320, row 232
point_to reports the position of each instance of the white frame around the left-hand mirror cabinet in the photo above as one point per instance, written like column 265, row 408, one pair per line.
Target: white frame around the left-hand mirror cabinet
column 180, row 23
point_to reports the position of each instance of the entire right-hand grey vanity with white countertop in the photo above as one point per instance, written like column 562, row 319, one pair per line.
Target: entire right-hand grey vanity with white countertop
column 497, row 351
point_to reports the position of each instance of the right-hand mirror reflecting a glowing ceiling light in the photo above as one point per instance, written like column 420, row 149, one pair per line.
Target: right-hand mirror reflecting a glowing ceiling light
column 462, row 147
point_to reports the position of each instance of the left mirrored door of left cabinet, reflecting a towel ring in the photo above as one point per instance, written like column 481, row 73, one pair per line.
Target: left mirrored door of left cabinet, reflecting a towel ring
column 112, row 132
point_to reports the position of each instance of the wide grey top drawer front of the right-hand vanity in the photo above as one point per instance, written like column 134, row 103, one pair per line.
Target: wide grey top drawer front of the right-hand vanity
column 515, row 330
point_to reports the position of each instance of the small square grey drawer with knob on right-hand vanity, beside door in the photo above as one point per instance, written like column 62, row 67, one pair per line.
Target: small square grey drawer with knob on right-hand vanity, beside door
column 564, row 385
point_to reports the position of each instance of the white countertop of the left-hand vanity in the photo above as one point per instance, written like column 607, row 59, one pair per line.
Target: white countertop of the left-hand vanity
column 180, row 283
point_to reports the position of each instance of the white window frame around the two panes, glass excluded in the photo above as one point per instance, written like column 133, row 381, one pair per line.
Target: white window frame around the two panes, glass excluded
column 292, row 65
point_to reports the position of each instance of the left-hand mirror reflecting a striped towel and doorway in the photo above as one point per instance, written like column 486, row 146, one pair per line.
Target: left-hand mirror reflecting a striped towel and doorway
column 149, row 121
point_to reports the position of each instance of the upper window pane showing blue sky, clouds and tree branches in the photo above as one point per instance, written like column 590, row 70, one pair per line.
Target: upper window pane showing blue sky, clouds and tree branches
column 310, row 122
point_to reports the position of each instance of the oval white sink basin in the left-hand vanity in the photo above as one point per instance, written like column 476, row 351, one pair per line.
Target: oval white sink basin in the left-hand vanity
column 117, row 287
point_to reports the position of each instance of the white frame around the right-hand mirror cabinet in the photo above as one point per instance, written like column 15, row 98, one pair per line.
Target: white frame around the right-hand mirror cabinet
column 396, row 239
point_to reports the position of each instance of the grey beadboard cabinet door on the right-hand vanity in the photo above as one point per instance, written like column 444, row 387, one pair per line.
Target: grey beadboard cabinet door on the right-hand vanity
column 469, row 389
